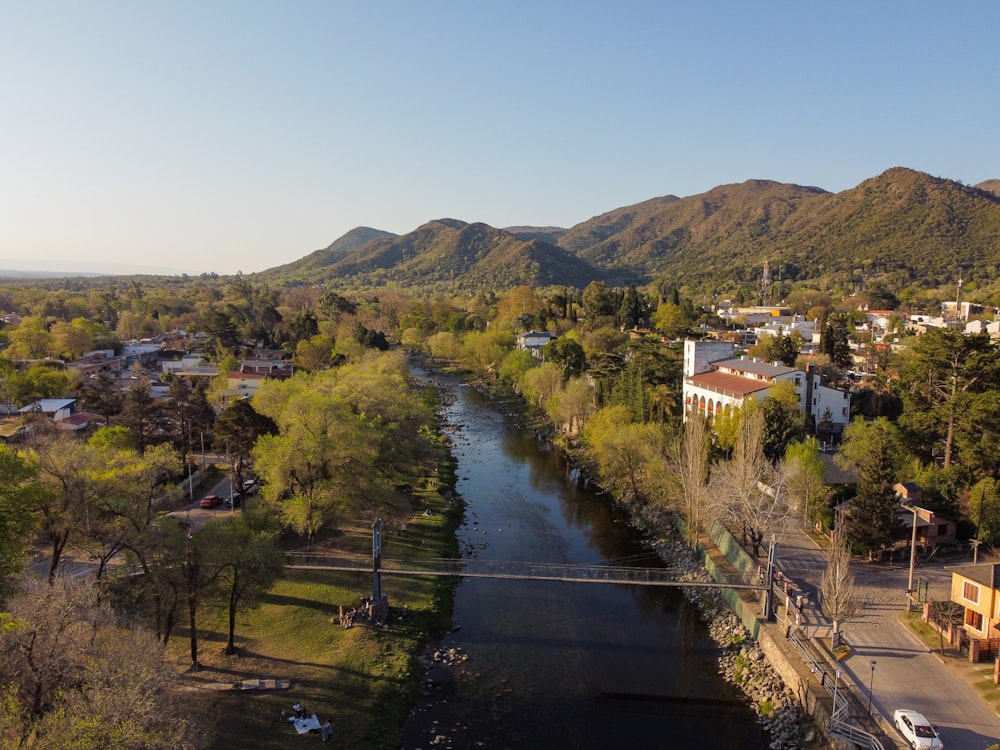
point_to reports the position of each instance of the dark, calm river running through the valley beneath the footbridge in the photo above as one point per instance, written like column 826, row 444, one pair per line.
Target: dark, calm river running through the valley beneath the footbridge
column 563, row 665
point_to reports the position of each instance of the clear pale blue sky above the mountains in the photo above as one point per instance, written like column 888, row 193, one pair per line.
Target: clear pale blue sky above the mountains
column 237, row 136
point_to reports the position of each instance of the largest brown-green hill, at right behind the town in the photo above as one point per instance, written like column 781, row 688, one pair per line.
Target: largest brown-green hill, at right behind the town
column 902, row 222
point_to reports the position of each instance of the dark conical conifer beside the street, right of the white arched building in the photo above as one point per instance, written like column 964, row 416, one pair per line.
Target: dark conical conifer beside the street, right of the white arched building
column 874, row 448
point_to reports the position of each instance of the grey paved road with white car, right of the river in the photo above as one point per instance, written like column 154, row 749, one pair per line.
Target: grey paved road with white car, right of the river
column 906, row 674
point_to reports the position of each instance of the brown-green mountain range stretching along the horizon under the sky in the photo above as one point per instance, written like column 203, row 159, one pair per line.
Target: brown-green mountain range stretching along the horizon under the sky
column 902, row 226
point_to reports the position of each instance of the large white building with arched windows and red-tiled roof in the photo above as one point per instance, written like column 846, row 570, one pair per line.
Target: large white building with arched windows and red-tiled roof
column 715, row 381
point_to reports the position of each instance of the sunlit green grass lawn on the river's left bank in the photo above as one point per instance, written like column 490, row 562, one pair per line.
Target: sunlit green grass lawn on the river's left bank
column 364, row 679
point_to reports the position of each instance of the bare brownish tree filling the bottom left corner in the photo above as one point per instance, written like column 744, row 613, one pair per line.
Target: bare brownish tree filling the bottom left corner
column 73, row 677
